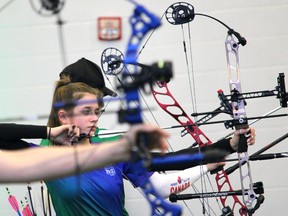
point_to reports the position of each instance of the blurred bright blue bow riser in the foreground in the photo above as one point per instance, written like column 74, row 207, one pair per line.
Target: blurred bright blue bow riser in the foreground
column 132, row 112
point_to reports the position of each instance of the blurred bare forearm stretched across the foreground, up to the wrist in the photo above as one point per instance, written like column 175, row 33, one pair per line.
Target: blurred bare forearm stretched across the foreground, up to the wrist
column 54, row 162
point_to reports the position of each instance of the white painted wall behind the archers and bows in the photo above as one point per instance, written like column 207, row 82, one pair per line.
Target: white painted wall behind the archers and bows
column 30, row 61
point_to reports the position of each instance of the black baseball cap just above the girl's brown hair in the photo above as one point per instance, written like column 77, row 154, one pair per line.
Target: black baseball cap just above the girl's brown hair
column 87, row 72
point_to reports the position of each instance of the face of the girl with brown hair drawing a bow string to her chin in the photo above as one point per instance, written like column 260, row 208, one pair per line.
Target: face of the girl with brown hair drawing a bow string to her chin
column 86, row 116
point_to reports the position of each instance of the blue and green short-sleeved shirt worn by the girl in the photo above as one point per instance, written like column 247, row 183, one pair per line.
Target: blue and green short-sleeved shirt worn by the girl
column 98, row 192
